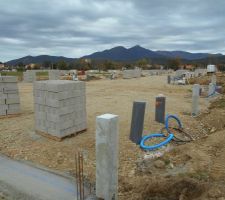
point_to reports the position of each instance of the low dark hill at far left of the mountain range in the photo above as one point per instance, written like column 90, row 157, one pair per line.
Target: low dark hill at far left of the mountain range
column 39, row 59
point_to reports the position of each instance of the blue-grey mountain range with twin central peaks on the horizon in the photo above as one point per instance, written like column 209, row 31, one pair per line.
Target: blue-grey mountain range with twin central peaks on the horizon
column 121, row 54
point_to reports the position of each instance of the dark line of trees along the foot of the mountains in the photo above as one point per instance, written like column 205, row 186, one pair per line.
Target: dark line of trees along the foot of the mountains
column 144, row 63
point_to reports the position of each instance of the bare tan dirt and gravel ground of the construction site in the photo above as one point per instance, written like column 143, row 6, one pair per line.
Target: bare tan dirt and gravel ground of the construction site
column 188, row 171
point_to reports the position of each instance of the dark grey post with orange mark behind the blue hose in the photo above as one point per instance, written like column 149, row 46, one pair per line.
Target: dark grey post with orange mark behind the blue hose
column 160, row 107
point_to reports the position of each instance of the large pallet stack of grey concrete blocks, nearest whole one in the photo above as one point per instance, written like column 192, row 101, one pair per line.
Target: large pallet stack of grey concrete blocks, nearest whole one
column 60, row 107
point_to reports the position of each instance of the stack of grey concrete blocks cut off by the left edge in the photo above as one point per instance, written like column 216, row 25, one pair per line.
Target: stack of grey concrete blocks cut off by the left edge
column 9, row 95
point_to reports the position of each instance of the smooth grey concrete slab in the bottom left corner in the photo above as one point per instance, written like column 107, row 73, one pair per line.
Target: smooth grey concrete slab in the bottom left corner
column 36, row 182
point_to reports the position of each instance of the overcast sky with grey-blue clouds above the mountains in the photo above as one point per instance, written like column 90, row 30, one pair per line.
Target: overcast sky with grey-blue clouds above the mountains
column 74, row 28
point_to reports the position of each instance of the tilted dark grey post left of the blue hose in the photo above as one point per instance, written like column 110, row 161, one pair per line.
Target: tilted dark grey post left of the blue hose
column 137, row 121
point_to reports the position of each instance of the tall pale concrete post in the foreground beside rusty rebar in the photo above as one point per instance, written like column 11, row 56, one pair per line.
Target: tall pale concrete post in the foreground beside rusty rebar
column 107, row 133
